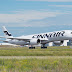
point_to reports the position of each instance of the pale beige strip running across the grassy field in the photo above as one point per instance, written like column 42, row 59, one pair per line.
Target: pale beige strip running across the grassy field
column 33, row 57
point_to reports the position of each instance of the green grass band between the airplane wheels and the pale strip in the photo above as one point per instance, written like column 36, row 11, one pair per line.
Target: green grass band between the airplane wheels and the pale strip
column 24, row 51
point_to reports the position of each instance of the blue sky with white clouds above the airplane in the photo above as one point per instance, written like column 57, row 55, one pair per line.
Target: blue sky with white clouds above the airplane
column 23, row 17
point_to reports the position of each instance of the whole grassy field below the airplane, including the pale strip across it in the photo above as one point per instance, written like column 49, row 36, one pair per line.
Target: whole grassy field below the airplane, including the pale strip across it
column 52, row 59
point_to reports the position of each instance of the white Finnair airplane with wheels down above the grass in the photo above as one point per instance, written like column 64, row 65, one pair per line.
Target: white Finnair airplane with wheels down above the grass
column 57, row 37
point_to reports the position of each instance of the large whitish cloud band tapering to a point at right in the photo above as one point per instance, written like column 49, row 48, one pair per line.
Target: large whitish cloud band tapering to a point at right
column 24, row 16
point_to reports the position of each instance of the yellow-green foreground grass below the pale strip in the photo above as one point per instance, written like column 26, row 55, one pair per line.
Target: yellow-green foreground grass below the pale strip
column 36, row 65
